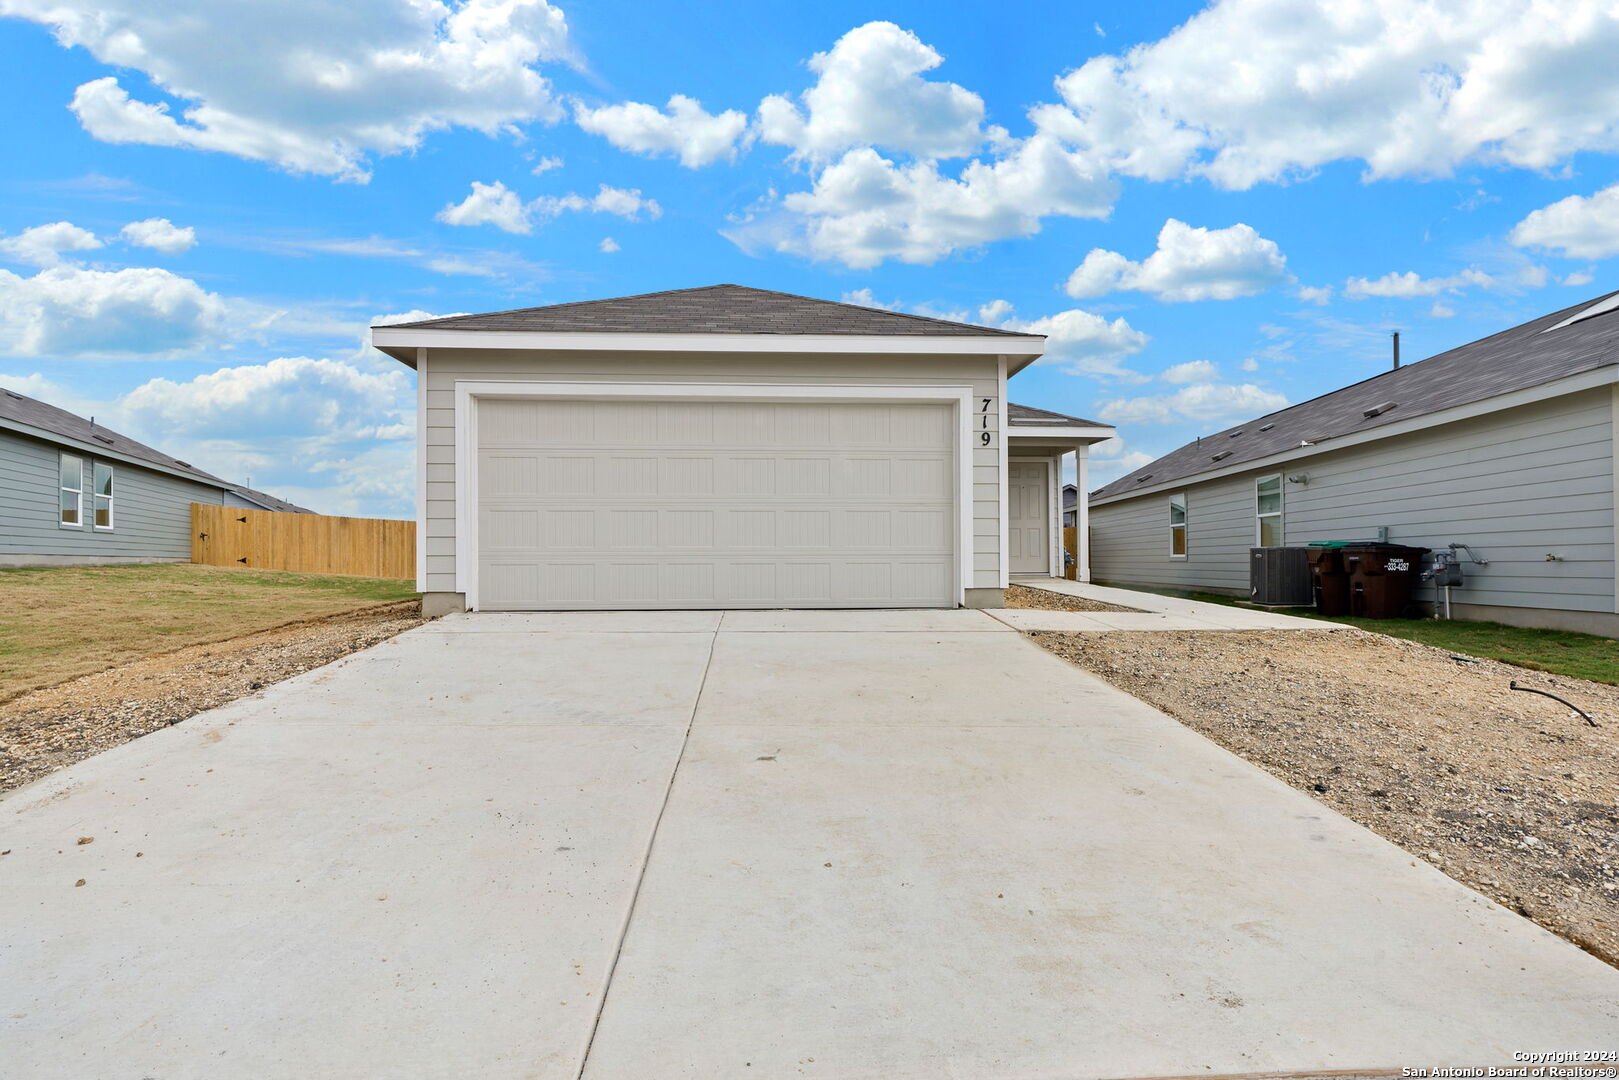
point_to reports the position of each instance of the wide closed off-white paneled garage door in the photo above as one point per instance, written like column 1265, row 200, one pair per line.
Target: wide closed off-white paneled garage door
column 715, row 504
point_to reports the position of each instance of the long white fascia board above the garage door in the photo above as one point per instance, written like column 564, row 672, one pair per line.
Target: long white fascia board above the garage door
column 388, row 339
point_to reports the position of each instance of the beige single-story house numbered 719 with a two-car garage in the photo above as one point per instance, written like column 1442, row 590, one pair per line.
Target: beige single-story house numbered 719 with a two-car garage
column 728, row 448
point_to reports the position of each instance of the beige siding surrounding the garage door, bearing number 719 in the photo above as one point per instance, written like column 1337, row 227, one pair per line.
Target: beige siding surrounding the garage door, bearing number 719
column 449, row 367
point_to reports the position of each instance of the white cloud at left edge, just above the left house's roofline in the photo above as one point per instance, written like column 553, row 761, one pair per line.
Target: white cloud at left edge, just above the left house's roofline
column 143, row 312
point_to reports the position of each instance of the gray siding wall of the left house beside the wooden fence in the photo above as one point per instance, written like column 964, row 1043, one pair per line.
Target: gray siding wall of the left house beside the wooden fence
column 151, row 519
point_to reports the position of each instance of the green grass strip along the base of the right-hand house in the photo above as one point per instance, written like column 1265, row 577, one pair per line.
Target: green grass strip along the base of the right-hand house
column 1557, row 652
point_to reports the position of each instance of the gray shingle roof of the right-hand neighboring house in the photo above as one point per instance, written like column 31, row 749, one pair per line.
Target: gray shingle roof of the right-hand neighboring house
column 1515, row 360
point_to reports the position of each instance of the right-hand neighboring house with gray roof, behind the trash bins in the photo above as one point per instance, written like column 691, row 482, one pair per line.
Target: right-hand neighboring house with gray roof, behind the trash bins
column 1505, row 444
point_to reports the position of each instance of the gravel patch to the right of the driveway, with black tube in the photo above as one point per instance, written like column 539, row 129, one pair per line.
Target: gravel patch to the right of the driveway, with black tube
column 1508, row 793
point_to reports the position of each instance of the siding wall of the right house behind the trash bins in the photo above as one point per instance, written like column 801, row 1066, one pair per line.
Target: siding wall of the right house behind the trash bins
column 1516, row 485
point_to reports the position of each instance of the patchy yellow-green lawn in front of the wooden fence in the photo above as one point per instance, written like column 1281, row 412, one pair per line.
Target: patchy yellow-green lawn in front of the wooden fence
column 62, row 623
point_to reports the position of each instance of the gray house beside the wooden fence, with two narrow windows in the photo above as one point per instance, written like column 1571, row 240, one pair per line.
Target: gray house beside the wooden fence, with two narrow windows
column 75, row 493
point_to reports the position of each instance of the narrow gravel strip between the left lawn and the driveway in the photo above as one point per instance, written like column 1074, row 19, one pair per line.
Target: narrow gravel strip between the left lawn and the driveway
column 51, row 729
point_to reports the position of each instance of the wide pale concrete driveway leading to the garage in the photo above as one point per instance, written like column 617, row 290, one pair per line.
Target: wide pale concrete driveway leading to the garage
column 759, row 844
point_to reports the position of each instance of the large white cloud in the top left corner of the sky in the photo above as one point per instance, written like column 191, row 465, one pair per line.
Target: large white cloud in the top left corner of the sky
column 307, row 85
